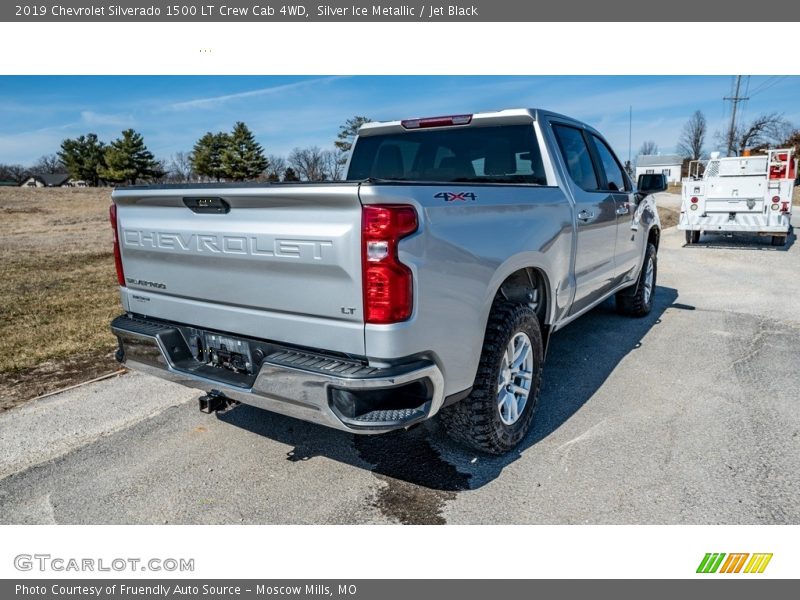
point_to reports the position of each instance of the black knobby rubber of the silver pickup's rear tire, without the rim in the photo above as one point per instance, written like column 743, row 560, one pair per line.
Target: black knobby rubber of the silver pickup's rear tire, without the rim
column 475, row 420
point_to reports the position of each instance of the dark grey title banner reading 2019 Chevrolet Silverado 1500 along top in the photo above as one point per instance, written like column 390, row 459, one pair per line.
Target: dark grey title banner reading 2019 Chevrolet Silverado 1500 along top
column 243, row 11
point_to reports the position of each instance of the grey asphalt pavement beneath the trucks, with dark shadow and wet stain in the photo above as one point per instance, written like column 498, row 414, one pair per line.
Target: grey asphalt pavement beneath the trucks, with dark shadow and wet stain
column 690, row 415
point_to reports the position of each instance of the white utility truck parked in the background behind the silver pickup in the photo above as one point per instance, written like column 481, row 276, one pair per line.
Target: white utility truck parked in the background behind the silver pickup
column 740, row 194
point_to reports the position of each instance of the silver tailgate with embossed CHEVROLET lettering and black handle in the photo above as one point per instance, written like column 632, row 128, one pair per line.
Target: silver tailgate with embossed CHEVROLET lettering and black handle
column 279, row 262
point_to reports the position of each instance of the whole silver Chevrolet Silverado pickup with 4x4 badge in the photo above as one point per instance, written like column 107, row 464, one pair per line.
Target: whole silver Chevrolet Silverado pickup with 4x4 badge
column 427, row 283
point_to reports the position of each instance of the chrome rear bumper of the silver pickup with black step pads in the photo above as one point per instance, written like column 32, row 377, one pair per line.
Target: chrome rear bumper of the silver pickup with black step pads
column 313, row 387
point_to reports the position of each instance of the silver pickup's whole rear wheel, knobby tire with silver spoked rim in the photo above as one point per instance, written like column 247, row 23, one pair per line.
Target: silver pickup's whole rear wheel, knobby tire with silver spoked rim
column 498, row 413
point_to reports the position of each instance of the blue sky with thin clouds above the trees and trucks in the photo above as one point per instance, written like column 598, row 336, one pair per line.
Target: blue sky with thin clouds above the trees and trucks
column 172, row 112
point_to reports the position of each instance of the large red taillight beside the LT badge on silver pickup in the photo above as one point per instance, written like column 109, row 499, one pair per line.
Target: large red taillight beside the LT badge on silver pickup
column 387, row 283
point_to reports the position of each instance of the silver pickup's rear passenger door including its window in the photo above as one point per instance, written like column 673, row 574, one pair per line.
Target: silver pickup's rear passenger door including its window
column 596, row 217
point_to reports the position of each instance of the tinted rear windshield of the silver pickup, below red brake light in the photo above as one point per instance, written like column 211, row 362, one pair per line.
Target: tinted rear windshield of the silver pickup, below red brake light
column 495, row 154
